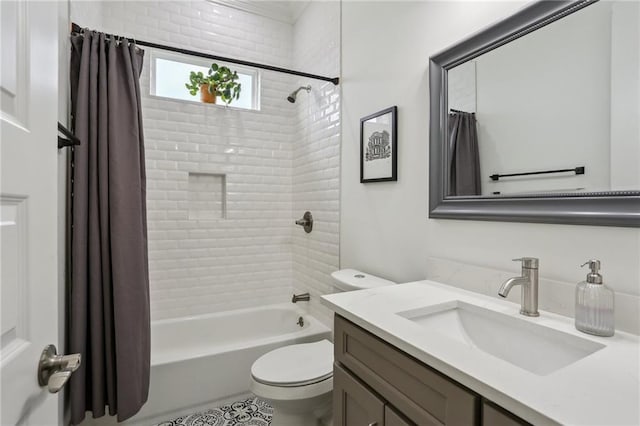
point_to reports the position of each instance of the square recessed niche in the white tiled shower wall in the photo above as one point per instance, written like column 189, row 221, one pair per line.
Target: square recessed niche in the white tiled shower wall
column 207, row 196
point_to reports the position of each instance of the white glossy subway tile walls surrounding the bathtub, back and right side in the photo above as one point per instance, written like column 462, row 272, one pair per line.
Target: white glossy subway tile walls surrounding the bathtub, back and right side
column 206, row 264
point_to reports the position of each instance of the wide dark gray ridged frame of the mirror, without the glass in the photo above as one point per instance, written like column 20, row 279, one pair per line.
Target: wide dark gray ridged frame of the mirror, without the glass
column 614, row 208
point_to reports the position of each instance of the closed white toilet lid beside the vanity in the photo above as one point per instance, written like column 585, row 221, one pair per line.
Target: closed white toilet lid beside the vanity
column 295, row 365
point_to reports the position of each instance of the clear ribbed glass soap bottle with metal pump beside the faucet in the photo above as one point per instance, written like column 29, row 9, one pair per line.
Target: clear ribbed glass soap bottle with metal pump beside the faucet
column 594, row 304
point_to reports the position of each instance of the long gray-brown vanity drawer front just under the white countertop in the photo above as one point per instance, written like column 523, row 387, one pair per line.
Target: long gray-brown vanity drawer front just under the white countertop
column 423, row 395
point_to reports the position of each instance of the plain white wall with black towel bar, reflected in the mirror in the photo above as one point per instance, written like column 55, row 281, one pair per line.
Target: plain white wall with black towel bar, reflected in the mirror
column 544, row 104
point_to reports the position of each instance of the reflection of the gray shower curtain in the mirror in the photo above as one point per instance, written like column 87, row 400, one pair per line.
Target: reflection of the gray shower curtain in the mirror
column 464, row 157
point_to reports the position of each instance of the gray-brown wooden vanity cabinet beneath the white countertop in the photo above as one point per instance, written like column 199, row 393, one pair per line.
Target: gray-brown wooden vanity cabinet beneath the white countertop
column 377, row 384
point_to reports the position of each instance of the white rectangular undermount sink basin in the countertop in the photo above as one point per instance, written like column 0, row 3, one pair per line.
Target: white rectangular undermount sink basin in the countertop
column 535, row 348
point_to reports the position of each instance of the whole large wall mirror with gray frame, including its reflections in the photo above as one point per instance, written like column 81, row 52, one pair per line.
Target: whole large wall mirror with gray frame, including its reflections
column 536, row 118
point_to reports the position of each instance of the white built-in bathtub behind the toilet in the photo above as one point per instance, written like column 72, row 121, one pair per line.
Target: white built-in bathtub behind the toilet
column 201, row 360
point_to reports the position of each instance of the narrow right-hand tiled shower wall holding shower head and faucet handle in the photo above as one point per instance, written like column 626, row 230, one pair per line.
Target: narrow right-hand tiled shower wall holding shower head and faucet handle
column 316, row 157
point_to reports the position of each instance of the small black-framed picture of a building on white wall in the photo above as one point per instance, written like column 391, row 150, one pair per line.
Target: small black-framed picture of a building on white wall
column 378, row 146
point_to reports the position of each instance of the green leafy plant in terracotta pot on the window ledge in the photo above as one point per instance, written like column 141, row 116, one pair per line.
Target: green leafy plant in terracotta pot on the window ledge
column 219, row 81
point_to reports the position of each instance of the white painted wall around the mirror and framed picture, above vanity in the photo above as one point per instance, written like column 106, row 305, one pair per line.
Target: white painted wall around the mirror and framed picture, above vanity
column 384, row 227
